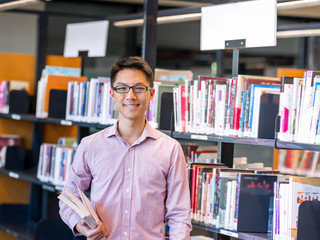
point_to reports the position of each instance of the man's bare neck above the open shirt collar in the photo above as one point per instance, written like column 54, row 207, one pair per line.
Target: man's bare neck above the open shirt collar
column 130, row 131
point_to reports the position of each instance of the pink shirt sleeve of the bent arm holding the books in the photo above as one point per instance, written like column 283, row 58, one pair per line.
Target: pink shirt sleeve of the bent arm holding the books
column 79, row 175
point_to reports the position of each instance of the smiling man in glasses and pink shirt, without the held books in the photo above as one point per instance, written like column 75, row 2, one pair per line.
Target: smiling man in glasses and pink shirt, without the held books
column 137, row 174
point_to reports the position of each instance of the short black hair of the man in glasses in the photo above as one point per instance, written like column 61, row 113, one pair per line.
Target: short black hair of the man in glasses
column 133, row 62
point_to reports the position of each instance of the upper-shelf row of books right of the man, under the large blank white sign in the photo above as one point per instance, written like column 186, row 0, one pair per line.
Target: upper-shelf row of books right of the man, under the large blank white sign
column 221, row 106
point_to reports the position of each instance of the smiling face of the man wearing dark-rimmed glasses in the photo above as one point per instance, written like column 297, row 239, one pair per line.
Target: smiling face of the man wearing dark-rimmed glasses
column 131, row 106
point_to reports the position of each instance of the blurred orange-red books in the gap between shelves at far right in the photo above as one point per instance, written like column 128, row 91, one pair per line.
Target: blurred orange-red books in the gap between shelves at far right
column 299, row 162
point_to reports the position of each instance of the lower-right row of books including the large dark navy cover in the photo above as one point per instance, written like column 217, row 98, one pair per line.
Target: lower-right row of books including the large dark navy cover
column 248, row 200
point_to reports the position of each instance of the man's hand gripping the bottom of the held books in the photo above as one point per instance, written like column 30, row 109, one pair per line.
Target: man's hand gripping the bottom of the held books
column 98, row 233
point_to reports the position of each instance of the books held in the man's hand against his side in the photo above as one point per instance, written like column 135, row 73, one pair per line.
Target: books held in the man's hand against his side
column 83, row 207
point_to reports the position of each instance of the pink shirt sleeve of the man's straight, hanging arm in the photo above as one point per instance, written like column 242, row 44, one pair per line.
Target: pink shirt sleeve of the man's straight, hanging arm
column 178, row 197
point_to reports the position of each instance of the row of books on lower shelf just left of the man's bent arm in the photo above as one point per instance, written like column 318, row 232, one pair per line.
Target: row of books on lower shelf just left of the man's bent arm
column 55, row 161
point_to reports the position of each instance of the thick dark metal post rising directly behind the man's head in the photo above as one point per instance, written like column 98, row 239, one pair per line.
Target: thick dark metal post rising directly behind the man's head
column 149, row 35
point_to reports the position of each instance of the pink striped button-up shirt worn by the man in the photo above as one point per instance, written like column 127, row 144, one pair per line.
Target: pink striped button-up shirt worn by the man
column 134, row 188
